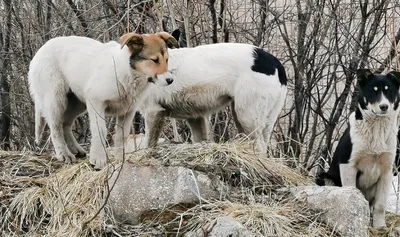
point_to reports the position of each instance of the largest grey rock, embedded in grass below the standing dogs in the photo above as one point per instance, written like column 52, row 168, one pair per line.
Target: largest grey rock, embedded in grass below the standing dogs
column 139, row 189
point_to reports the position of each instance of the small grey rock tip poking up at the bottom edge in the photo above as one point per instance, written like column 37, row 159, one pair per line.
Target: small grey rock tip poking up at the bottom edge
column 225, row 226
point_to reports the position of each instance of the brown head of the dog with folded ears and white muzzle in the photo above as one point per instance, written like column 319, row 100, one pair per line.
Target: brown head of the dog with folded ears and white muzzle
column 149, row 54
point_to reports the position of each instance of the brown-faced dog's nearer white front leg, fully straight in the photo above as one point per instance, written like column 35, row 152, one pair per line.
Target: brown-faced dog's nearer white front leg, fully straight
column 98, row 155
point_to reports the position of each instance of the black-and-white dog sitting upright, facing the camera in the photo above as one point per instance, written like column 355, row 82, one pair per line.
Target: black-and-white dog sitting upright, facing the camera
column 366, row 151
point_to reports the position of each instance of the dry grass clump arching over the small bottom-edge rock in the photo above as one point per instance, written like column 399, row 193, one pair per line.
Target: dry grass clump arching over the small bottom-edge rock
column 273, row 218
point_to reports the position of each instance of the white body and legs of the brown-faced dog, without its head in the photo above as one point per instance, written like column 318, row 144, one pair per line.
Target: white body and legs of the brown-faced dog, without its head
column 99, row 74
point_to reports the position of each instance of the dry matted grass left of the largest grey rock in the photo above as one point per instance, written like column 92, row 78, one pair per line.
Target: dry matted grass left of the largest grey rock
column 39, row 196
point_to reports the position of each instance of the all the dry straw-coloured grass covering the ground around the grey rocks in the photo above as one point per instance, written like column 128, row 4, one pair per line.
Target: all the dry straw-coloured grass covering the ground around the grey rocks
column 40, row 196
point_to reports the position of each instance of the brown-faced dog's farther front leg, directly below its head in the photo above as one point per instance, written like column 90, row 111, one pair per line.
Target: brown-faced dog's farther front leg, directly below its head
column 123, row 128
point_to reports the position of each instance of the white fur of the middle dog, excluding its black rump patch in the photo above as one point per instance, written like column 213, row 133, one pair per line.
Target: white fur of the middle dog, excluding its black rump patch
column 209, row 77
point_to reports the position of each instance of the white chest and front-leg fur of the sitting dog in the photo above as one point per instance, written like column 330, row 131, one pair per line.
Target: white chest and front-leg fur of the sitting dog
column 374, row 141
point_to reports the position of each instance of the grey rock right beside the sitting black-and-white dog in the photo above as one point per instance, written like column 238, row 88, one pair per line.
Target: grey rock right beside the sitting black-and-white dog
column 343, row 208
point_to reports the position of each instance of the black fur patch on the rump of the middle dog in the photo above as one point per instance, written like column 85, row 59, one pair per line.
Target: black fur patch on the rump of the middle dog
column 266, row 63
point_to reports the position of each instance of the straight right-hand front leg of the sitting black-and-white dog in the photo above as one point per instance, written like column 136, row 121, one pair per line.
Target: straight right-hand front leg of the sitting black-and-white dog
column 382, row 190
